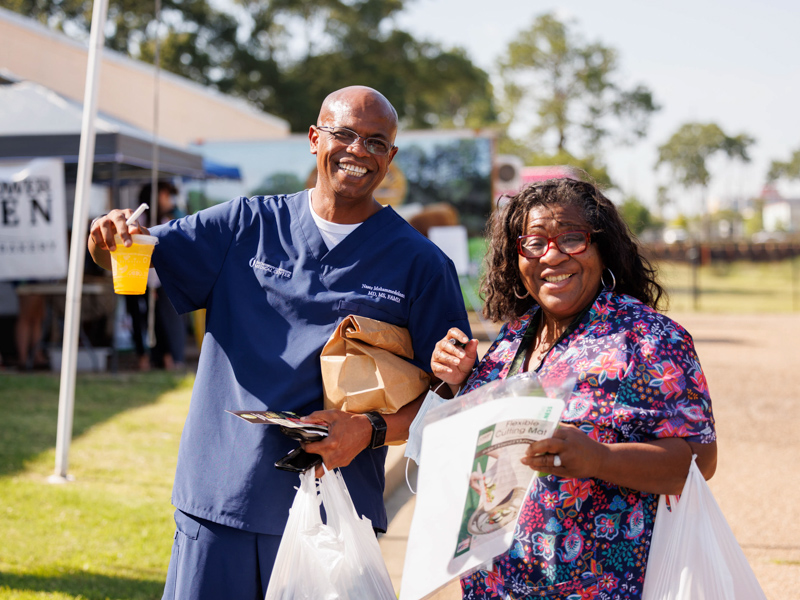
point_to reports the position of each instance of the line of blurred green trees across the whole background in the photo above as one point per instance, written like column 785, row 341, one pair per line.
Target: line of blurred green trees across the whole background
column 560, row 98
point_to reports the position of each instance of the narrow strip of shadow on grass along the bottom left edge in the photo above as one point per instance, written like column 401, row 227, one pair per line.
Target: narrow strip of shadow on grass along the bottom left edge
column 90, row 586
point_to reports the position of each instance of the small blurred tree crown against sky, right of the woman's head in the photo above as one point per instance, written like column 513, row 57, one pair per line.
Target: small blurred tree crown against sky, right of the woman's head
column 688, row 150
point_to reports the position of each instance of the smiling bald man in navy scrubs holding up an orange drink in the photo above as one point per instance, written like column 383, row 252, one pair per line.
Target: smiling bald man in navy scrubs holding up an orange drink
column 276, row 275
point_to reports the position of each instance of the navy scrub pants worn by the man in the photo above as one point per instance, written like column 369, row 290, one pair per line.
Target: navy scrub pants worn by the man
column 213, row 562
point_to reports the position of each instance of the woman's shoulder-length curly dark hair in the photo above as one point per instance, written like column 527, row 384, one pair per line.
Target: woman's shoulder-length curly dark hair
column 618, row 247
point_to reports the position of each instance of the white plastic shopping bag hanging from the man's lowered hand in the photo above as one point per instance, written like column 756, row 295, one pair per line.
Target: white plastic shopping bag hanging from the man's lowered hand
column 339, row 560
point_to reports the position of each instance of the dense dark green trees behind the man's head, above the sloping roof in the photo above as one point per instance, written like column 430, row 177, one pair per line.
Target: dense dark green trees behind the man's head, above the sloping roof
column 252, row 53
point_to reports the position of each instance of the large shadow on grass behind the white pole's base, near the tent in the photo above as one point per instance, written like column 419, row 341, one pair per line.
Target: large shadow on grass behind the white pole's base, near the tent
column 29, row 406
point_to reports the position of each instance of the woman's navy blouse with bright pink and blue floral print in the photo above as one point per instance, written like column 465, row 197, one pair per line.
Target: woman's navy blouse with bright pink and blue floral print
column 638, row 379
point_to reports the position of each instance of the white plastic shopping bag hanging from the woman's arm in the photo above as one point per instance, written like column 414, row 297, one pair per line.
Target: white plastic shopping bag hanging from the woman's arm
column 694, row 554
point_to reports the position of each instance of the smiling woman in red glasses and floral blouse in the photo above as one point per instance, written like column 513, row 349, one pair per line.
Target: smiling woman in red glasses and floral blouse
column 580, row 301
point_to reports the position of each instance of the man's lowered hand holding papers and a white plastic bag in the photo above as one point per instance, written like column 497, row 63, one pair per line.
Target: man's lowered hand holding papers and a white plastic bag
column 348, row 435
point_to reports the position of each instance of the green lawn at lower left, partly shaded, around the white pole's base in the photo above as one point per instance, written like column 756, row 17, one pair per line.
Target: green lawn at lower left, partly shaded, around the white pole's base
column 108, row 534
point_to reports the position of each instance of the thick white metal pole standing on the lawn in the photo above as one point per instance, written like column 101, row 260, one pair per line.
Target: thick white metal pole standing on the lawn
column 77, row 254
